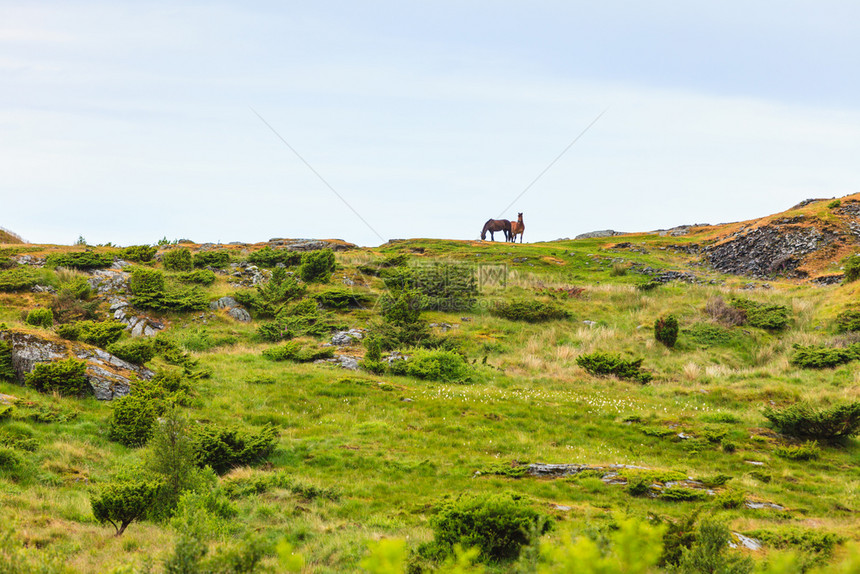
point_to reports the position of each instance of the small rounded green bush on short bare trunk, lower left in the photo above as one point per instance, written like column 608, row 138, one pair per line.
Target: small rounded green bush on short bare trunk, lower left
column 124, row 501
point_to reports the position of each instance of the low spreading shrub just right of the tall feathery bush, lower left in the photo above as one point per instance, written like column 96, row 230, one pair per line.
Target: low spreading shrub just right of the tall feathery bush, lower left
column 226, row 447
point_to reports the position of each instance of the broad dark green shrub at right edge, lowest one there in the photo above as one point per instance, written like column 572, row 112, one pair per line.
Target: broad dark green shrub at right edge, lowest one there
column 802, row 420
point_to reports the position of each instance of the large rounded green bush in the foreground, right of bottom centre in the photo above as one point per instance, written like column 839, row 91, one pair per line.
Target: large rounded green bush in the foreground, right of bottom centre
column 499, row 525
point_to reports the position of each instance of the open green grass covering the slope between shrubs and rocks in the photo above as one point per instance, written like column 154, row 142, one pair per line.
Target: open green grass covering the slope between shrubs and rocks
column 393, row 447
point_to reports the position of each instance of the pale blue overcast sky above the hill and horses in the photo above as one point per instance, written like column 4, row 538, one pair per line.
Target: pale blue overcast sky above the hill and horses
column 132, row 121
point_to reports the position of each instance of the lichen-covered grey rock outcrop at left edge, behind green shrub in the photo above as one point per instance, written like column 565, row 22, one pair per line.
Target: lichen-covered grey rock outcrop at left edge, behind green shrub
column 109, row 376
